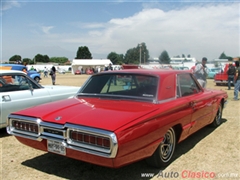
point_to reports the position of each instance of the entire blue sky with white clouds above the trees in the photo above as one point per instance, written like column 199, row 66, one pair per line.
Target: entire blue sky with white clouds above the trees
column 57, row 28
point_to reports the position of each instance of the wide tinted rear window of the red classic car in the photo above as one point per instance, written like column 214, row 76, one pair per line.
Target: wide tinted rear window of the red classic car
column 121, row 86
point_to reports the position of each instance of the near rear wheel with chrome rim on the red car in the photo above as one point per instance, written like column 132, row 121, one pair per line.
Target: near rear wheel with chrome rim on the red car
column 163, row 155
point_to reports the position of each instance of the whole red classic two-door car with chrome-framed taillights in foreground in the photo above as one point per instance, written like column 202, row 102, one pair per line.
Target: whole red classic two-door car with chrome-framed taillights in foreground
column 119, row 117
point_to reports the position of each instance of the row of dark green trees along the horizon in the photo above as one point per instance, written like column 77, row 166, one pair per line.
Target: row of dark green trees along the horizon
column 135, row 55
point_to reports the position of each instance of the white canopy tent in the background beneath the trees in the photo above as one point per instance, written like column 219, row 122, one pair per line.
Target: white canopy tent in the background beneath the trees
column 83, row 64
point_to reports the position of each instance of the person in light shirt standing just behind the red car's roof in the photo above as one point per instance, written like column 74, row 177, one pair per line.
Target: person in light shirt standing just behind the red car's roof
column 201, row 72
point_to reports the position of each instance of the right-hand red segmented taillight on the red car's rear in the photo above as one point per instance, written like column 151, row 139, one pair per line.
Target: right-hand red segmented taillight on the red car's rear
column 90, row 139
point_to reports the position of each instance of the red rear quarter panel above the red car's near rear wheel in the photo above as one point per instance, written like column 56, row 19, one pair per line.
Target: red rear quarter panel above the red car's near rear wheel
column 140, row 138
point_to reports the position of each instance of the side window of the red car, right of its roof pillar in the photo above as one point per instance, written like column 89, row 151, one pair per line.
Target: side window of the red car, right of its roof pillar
column 186, row 85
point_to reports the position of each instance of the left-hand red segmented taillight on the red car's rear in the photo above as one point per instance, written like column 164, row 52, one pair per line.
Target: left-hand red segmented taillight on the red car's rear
column 25, row 126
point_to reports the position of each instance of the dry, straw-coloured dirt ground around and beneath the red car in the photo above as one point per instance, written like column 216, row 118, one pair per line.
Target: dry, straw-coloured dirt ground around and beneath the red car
column 209, row 152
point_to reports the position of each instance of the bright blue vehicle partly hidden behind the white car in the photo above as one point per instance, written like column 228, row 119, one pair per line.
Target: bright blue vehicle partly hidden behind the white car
column 19, row 67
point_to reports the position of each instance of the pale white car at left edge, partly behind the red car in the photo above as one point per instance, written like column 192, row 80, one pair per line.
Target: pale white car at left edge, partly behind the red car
column 18, row 91
